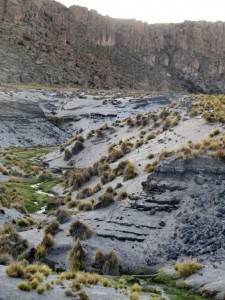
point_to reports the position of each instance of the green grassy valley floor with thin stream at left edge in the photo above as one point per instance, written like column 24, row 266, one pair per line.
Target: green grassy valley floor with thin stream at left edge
column 24, row 163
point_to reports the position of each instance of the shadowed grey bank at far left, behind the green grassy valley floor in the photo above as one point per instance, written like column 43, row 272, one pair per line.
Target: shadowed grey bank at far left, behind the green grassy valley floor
column 23, row 123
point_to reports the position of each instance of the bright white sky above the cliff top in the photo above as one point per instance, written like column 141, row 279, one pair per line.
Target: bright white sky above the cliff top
column 156, row 11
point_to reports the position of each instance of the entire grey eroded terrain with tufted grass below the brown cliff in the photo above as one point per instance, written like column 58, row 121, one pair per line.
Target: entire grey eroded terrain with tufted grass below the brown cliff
column 121, row 183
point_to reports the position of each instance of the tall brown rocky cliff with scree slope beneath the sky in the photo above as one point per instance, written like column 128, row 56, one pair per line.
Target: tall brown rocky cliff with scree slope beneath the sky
column 46, row 42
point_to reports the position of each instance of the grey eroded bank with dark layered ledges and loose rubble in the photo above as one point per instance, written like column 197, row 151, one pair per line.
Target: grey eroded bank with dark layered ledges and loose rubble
column 180, row 214
